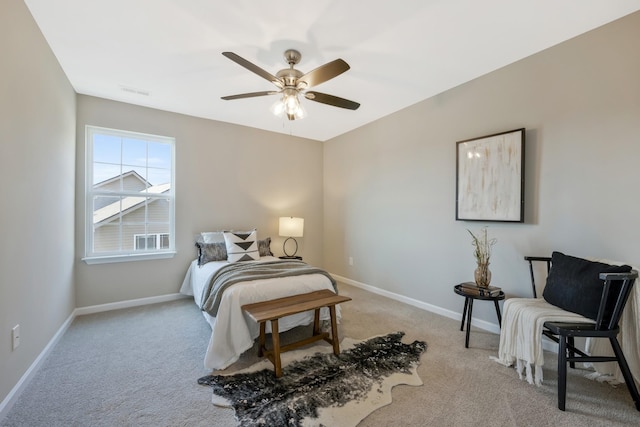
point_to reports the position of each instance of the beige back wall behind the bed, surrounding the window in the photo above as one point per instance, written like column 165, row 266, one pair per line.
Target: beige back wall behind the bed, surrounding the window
column 227, row 177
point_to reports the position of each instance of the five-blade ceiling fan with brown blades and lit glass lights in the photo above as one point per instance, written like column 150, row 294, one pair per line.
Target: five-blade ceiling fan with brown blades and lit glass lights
column 291, row 83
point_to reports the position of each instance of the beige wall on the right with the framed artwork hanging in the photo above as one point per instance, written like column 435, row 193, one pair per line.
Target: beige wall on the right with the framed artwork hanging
column 390, row 186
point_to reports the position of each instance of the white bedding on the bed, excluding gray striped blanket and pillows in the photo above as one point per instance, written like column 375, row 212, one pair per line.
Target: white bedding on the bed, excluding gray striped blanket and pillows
column 232, row 331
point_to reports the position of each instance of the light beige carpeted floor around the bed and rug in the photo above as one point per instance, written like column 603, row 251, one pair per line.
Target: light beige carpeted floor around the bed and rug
column 139, row 367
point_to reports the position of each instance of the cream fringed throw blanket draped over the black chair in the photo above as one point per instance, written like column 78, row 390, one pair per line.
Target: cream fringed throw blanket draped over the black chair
column 521, row 337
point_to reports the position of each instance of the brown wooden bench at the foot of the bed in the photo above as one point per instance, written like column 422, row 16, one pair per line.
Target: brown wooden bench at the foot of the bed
column 273, row 310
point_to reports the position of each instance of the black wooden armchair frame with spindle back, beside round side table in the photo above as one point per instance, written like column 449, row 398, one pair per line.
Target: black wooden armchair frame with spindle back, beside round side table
column 616, row 288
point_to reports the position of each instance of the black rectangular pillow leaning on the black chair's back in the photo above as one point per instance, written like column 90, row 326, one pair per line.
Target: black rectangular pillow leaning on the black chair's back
column 573, row 284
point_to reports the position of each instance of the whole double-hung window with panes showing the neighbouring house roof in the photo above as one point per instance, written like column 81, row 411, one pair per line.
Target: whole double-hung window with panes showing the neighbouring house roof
column 130, row 195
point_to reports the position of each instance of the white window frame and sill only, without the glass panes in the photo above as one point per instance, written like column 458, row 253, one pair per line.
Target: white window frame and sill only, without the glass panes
column 92, row 257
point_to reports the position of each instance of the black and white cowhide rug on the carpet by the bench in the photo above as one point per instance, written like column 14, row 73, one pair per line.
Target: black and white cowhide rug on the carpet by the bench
column 318, row 388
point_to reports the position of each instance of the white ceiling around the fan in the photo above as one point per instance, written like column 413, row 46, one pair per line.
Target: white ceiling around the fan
column 166, row 54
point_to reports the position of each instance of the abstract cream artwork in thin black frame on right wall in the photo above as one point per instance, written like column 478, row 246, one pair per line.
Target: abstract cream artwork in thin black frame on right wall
column 490, row 177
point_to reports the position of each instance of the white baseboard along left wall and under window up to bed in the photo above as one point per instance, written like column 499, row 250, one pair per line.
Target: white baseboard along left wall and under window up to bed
column 10, row 399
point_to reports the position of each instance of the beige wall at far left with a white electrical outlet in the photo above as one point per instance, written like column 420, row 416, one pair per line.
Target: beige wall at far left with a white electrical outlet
column 37, row 173
